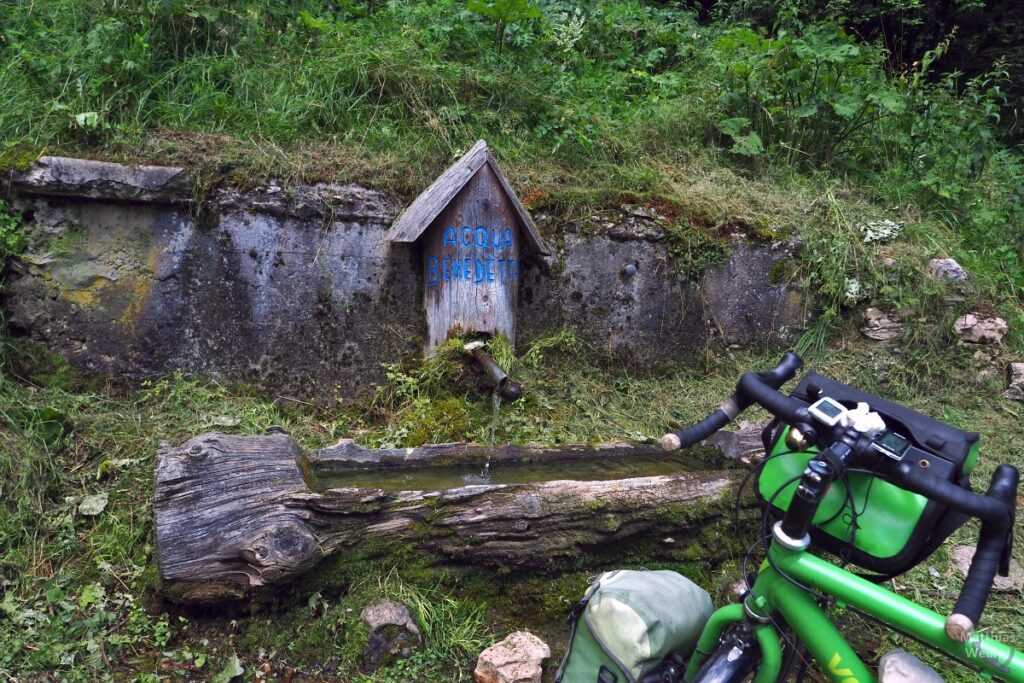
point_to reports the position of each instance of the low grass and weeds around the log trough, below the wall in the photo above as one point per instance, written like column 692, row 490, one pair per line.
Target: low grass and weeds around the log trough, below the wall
column 76, row 587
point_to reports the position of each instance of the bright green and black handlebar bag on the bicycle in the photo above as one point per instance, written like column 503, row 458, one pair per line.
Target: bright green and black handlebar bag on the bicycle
column 864, row 519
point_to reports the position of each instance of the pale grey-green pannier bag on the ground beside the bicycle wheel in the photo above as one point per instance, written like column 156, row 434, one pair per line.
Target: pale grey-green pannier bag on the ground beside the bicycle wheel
column 629, row 622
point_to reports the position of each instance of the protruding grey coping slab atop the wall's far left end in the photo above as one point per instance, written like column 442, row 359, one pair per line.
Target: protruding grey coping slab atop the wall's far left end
column 62, row 177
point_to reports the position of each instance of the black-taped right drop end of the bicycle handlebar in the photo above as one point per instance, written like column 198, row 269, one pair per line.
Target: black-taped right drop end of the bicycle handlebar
column 992, row 543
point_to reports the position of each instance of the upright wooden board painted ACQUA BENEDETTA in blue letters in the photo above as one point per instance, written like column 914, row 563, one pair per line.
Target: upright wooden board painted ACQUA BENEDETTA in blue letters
column 472, row 262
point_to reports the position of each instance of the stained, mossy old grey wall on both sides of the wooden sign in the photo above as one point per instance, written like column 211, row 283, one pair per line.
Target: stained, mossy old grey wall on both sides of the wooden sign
column 294, row 289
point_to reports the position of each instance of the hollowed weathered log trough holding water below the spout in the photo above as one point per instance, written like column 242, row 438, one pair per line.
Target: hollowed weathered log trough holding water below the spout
column 237, row 514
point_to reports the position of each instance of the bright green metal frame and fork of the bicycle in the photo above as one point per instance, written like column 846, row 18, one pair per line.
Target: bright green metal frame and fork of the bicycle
column 774, row 593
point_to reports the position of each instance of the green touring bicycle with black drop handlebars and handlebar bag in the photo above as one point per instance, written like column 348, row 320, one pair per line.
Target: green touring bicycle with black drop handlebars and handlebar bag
column 881, row 488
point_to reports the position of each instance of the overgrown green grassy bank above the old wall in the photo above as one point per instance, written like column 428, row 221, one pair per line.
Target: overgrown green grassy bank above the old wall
column 614, row 98
